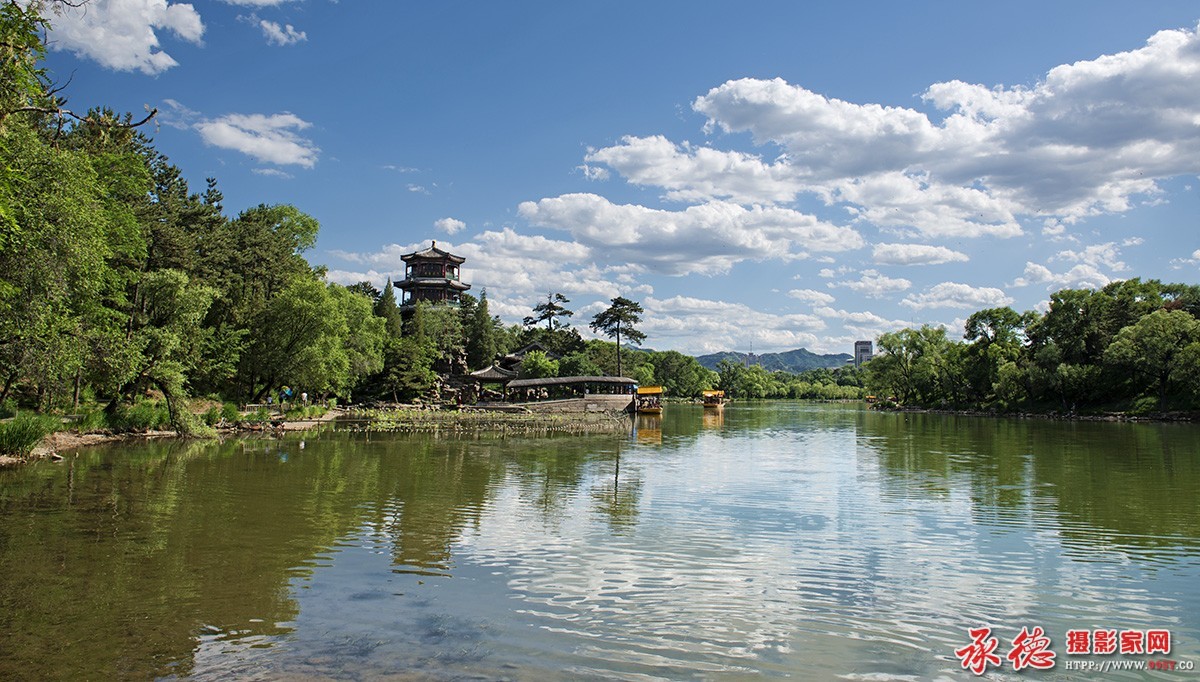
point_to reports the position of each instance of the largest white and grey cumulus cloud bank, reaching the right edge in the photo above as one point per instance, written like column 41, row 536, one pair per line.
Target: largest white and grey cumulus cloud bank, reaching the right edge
column 1089, row 139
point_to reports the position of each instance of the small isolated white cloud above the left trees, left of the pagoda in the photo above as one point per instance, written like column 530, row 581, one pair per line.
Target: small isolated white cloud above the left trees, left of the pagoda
column 271, row 139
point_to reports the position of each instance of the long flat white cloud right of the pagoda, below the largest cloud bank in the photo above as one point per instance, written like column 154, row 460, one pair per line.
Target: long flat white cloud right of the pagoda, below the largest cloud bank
column 701, row 240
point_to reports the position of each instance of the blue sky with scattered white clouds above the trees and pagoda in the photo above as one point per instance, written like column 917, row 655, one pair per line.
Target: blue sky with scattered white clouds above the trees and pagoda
column 763, row 176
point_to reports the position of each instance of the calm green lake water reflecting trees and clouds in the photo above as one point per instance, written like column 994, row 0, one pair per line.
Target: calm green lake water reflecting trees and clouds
column 773, row 541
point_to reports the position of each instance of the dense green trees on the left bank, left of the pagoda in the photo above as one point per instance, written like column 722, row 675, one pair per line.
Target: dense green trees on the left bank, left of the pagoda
column 118, row 280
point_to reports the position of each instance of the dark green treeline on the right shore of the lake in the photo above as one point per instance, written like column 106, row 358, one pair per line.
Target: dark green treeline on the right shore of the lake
column 1132, row 346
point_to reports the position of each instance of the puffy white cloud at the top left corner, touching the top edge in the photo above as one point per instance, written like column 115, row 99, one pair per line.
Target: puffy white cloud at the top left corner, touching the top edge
column 124, row 34
